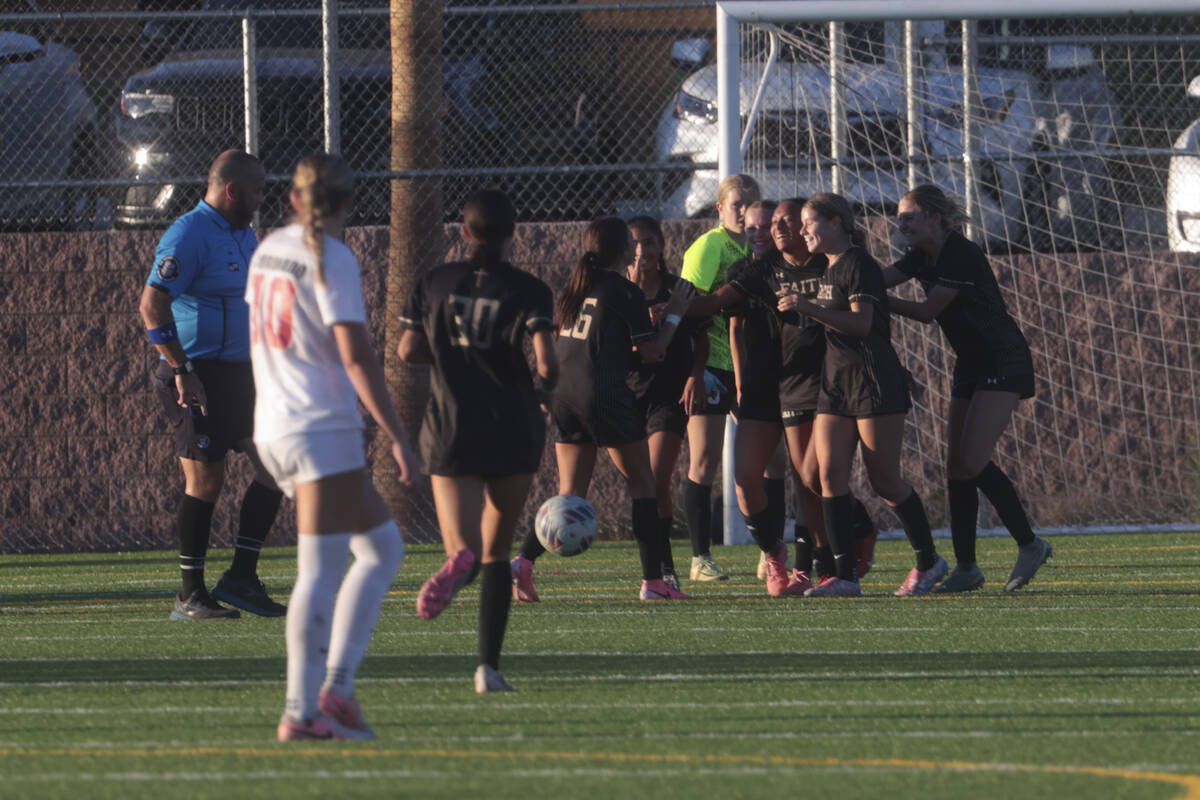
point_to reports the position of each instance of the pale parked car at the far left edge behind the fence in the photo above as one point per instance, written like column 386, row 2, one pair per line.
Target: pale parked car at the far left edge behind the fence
column 47, row 131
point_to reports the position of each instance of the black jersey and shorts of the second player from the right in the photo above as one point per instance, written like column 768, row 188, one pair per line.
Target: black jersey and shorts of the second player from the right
column 861, row 376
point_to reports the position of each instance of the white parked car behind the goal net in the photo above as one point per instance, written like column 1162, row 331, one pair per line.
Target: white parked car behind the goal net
column 1023, row 117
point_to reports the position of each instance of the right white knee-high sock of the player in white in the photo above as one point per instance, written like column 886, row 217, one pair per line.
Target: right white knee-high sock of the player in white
column 379, row 555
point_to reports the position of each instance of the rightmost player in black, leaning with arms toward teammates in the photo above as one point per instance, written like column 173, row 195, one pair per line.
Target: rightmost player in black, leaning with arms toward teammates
column 993, row 374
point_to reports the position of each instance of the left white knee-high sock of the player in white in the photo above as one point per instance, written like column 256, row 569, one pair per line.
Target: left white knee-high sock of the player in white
column 321, row 563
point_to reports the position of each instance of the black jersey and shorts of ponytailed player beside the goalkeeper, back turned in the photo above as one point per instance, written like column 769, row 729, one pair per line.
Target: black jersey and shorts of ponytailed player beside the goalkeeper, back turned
column 596, row 357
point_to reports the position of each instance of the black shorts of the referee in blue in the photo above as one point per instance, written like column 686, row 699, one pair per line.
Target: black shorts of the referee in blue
column 230, row 389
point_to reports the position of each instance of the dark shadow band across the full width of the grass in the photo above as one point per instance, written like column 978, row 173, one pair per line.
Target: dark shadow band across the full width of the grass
column 695, row 669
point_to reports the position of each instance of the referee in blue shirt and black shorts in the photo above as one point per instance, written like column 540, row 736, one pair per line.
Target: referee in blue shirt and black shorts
column 197, row 318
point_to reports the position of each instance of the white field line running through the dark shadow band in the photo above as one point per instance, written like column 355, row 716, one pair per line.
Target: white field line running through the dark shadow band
column 641, row 678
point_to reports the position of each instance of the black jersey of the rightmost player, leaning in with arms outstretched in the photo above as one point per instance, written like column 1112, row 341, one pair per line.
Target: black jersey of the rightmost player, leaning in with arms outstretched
column 976, row 324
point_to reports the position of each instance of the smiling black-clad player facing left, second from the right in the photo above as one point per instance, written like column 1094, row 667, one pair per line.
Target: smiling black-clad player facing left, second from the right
column 865, row 396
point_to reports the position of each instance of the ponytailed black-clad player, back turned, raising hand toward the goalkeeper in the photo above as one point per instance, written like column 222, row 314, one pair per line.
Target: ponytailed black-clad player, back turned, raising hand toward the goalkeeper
column 603, row 326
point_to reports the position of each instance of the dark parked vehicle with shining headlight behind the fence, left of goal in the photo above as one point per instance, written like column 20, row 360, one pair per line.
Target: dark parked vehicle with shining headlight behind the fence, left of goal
column 175, row 117
